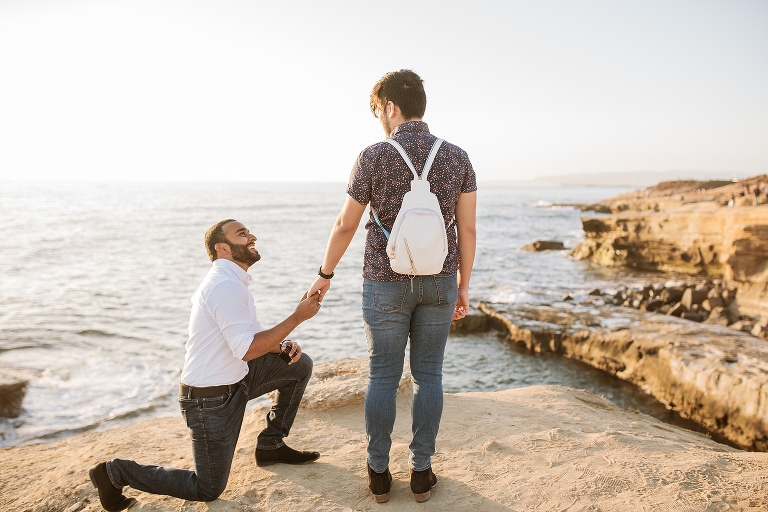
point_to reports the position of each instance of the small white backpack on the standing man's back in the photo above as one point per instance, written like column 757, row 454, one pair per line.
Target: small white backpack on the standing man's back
column 418, row 244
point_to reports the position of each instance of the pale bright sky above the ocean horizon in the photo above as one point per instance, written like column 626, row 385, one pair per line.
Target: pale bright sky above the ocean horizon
column 278, row 91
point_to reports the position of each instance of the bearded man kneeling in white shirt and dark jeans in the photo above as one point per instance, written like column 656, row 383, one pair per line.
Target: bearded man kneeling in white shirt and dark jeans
column 230, row 359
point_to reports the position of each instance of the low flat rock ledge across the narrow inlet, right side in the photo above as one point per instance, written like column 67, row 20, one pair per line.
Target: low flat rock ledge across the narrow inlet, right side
column 713, row 375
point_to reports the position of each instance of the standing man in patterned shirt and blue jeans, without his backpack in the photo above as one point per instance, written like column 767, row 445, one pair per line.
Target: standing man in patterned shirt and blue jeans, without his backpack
column 399, row 307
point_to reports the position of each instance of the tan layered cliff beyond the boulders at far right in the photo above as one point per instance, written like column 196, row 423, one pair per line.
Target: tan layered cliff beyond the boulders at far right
column 688, row 227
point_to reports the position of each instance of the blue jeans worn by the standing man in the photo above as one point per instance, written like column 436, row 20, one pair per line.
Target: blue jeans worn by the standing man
column 421, row 308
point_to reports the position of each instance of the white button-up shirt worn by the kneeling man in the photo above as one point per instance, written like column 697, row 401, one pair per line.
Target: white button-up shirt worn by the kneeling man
column 221, row 327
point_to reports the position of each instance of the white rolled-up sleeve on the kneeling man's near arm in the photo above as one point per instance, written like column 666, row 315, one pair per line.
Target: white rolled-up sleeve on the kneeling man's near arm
column 229, row 307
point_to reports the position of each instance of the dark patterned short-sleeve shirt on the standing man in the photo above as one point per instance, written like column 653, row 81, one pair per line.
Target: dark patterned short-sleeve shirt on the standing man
column 381, row 177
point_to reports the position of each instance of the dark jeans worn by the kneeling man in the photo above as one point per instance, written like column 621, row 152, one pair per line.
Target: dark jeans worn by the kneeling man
column 214, row 426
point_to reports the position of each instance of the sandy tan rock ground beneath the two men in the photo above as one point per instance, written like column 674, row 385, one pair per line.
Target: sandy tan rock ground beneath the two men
column 542, row 447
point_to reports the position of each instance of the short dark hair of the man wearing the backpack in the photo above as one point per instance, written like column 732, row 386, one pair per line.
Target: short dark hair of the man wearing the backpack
column 405, row 89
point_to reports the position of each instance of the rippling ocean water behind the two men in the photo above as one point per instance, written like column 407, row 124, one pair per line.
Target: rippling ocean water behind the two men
column 96, row 279
